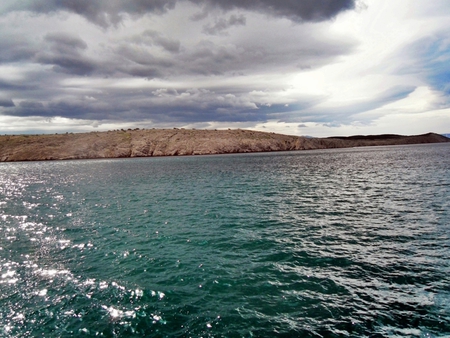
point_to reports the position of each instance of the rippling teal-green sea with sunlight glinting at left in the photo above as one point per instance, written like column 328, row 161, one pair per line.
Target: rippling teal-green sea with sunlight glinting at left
column 322, row 243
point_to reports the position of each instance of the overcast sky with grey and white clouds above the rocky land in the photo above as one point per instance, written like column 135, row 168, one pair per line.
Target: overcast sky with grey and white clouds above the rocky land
column 306, row 67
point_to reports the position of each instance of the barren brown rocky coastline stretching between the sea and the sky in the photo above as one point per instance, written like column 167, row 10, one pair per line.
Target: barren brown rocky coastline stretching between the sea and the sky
column 172, row 142
